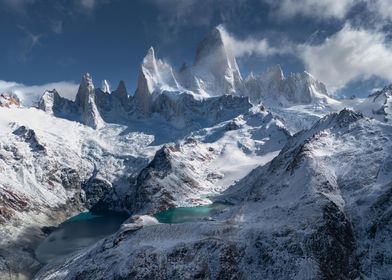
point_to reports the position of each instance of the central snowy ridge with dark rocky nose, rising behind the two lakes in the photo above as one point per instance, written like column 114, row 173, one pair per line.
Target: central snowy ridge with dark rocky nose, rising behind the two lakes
column 207, row 162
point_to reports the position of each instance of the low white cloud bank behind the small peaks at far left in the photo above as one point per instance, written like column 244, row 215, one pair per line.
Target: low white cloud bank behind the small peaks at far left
column 29, row 95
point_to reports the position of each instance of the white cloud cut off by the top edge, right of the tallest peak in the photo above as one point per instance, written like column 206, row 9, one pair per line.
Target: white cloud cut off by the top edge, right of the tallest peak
column 312, row 8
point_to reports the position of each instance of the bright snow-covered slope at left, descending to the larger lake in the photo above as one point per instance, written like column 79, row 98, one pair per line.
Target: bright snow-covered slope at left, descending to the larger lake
column 49, row 168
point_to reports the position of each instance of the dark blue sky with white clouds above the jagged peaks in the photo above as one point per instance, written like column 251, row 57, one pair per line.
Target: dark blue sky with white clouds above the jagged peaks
column 345, row 43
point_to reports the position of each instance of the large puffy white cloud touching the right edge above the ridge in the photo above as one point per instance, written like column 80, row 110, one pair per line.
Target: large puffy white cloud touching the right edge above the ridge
column 348, row 55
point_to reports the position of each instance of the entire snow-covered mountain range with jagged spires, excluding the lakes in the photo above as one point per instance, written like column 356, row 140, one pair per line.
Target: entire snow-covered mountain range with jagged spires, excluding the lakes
column 309, row 176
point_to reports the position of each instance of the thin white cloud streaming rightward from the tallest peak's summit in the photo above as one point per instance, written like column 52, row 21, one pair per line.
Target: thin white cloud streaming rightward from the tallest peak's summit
column 250, row 46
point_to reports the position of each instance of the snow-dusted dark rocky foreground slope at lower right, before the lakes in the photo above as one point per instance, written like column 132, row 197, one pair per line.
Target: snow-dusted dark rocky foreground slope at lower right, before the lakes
column 319, row 210
